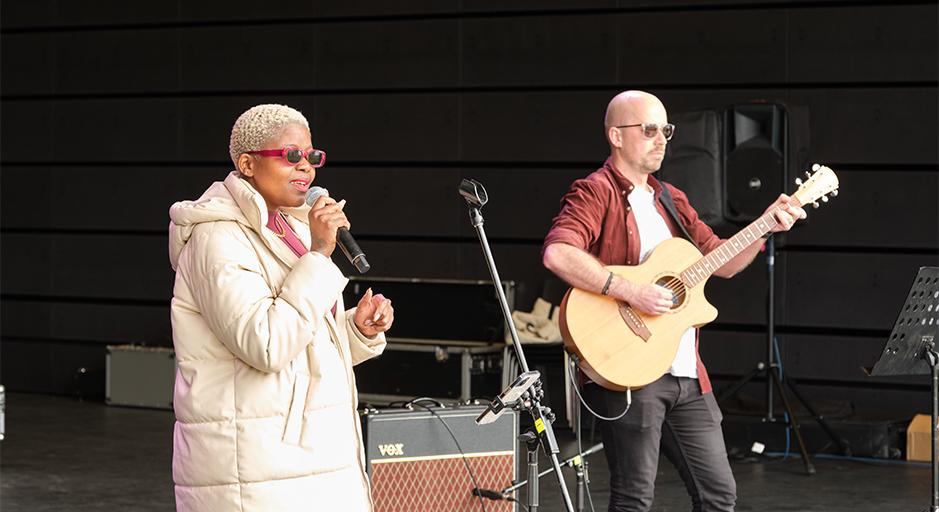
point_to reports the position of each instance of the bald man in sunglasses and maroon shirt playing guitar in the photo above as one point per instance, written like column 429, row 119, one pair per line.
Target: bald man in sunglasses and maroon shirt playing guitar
column 615, row 216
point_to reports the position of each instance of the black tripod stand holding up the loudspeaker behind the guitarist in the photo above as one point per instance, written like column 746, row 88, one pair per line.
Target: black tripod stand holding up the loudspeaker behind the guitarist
column 774, row 380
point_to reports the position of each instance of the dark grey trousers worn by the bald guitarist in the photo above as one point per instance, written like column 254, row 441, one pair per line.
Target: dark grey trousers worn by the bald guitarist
column 671, row 413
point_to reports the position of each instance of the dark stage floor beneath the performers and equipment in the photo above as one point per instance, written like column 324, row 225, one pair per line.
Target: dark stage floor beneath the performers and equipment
column 63, row 454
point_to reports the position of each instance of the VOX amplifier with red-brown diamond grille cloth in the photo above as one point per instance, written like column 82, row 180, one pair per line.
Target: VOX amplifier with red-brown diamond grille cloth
column 415, row 464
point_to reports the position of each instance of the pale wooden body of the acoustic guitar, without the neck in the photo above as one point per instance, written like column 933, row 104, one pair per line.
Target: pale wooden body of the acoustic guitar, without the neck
column 619, row 355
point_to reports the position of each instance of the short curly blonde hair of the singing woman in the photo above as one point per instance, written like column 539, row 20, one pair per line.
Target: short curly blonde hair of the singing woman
column 260, row 124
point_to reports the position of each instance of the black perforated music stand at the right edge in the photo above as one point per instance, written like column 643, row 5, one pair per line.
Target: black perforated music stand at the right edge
column 911, row 350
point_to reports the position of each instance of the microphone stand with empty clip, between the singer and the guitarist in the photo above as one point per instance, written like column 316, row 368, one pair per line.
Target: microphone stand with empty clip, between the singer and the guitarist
column 543, row 433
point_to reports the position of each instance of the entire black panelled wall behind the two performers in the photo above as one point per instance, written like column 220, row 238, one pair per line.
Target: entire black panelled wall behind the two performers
column 112, row 111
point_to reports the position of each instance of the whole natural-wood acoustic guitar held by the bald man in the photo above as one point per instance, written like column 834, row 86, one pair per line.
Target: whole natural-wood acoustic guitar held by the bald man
column 620, row 347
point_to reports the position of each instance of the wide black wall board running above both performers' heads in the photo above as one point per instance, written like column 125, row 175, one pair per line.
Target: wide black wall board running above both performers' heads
column 873, row 43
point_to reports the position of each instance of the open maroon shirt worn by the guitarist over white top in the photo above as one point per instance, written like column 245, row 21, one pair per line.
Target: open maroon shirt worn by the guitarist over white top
column 592, row 219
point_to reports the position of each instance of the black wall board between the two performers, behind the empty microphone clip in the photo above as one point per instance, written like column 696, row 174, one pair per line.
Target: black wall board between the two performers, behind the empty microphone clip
column 424, row 202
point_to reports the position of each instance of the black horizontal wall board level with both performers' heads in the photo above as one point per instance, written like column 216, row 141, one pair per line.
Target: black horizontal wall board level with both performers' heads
column 540, row 127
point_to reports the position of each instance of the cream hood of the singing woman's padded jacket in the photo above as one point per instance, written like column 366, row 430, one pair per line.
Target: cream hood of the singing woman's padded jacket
column 232, row 200
